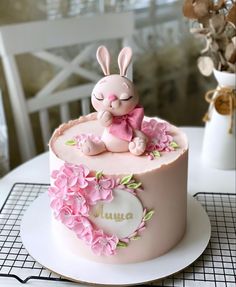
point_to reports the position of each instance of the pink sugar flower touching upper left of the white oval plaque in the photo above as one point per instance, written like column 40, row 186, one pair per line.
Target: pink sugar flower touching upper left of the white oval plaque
column 100, row 189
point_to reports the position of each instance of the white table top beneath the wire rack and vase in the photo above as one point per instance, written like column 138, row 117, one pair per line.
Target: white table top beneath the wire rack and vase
column 200, row 179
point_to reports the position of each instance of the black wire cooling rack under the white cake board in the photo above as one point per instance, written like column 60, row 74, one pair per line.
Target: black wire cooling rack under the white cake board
column 215, row 267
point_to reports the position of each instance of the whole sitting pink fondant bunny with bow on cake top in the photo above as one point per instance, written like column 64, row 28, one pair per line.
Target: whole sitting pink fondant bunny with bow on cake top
column 116, row 101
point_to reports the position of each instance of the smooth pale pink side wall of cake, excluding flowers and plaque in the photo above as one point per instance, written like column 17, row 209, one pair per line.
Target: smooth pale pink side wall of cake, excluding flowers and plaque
column 164, row 192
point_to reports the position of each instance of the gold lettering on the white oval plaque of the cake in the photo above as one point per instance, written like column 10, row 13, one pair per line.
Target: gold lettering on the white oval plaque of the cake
column 116, row 216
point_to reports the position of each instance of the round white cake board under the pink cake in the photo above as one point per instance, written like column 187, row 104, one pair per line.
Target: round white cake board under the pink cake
column 37, row 238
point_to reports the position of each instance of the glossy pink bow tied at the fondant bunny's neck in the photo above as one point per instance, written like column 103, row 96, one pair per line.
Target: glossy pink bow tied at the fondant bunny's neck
column 123, row 126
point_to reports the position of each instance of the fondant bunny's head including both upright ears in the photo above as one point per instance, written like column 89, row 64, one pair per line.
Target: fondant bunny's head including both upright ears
column 114, row 93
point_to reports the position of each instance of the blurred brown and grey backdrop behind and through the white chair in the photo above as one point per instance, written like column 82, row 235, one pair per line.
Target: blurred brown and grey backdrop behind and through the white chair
column 164, row 63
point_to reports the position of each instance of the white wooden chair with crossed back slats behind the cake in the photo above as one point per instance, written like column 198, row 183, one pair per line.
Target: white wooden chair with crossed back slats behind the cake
column 36, row 38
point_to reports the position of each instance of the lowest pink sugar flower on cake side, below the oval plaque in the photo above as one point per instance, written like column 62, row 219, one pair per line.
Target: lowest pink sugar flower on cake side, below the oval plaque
column 104, row 244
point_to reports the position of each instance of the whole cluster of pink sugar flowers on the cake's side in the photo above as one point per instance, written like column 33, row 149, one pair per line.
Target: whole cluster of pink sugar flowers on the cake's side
column 72, row 195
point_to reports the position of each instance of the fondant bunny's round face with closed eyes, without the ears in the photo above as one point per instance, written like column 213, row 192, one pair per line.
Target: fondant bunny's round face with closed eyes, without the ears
column 115, row 94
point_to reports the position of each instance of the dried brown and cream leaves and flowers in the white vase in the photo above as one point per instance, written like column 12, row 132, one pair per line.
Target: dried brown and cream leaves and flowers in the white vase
column 217, row 26
